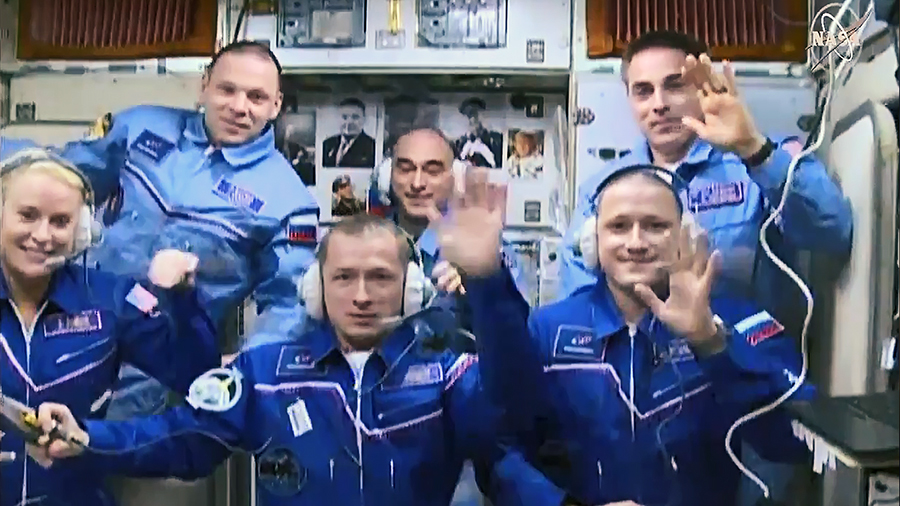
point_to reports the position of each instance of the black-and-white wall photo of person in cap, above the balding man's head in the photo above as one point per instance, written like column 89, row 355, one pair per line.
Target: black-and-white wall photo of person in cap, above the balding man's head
column 476, row 127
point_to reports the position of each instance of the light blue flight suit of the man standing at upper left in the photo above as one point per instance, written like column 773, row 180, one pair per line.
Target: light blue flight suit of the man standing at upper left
column 241, row 209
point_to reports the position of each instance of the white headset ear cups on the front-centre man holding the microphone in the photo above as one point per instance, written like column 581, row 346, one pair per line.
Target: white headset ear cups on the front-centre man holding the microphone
column 418, row 291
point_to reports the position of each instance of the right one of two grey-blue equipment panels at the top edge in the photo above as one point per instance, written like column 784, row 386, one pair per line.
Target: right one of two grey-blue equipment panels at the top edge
column 462, row 23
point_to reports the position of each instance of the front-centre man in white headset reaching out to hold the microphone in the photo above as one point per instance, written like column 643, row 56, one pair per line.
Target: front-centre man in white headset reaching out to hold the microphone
column 372, row 405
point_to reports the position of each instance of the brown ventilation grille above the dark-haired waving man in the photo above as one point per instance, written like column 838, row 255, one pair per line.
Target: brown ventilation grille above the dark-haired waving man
column 736, row 29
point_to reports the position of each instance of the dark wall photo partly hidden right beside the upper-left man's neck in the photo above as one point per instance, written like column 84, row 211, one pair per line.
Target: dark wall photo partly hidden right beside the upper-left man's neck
column 295, row 137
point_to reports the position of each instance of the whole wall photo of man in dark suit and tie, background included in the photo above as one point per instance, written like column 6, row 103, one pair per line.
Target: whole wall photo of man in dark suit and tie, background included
column 348, row 129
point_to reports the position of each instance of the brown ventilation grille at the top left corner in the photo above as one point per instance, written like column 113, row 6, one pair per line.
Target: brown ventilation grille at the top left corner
column 116, row 29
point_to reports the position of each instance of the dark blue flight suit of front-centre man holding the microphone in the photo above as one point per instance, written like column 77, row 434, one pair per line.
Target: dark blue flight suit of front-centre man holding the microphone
column 398, row 436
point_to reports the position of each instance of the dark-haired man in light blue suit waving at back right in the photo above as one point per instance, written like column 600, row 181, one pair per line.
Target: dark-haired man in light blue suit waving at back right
column 696, row 125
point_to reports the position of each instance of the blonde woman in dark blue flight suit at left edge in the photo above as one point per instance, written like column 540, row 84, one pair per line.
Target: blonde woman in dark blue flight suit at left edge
column 65, row 329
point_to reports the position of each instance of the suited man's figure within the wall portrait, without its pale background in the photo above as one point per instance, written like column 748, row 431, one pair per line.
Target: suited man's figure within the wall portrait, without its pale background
column 352, row 147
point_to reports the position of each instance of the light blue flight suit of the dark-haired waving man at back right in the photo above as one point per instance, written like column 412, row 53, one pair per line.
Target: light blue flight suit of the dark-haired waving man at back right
column 730, row 202
